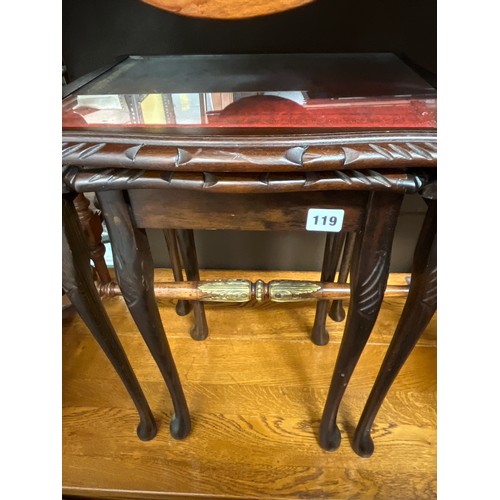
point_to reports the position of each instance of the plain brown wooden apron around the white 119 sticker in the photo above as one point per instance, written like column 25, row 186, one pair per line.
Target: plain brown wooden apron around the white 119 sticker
column 181, row 209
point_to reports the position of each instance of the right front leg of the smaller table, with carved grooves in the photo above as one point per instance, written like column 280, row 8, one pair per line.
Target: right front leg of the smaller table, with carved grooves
column 369, row 273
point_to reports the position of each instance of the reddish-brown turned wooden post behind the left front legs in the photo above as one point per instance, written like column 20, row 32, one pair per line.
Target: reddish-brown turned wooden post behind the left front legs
column 92, row 228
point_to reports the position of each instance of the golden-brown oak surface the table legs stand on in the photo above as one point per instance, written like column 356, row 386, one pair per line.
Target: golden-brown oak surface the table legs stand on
column 256, row 389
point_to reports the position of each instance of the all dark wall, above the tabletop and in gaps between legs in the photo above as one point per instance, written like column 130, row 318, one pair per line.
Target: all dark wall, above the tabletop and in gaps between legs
column 95, row 32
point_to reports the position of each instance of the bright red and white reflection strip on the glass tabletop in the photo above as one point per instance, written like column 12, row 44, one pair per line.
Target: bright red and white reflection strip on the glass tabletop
column 248, row 109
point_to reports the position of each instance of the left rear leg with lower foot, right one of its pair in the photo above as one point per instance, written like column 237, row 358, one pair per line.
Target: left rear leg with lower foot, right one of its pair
column 199, row 330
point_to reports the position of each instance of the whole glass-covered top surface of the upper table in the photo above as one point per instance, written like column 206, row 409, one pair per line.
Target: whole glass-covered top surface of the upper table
column 218, row 93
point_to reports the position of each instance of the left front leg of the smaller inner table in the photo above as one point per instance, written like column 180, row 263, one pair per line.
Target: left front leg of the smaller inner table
column 134, row 272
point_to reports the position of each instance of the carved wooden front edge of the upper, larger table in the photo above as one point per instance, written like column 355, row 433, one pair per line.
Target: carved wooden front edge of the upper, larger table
column 248, row 153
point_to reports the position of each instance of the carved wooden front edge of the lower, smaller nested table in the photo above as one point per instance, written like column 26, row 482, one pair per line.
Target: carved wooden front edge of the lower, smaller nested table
column 275, row 182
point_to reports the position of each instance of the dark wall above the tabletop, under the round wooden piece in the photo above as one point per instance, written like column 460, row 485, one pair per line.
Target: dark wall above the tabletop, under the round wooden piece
column 96, row 31
